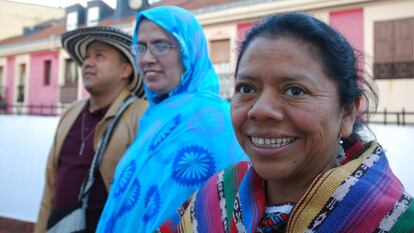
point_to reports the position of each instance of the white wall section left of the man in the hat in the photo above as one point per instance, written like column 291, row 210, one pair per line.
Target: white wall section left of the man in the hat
column 24, row 145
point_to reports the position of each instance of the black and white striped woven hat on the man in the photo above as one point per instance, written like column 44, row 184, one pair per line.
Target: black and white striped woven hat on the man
column 77, row 41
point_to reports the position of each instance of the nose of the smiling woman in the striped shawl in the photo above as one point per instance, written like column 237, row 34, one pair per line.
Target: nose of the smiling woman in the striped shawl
column 266, row 107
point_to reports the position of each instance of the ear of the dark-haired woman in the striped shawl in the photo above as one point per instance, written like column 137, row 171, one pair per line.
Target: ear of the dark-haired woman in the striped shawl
column 349, row 117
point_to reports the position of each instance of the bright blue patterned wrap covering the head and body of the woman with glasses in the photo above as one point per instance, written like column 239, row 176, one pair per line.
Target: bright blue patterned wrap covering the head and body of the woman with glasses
column 181, row 142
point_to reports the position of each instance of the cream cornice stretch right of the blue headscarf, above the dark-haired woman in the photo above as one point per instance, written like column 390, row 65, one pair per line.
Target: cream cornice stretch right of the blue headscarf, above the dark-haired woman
column 253, row 10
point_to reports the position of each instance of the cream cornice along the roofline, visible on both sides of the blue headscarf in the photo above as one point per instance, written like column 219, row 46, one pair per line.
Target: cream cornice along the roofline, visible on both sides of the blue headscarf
column 242, row 11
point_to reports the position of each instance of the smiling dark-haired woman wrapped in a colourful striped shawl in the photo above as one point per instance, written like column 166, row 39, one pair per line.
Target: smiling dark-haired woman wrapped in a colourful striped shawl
column 298, row 105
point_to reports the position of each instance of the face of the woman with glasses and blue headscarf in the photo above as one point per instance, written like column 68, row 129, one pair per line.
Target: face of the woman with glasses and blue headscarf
column 161, row 73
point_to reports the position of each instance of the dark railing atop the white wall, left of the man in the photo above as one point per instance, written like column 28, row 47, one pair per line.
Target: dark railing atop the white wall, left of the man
column 37, row 110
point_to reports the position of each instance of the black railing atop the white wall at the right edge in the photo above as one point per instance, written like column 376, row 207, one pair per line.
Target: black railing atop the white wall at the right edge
column 391, row 117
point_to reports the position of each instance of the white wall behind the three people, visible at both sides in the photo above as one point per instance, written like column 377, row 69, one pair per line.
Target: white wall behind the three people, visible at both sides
column 25, row 142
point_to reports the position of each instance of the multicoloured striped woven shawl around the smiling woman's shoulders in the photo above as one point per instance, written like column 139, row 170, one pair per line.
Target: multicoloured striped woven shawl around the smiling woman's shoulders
column 360, row 196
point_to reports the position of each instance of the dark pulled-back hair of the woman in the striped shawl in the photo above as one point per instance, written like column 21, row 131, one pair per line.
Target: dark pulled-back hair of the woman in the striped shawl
column 337, row 56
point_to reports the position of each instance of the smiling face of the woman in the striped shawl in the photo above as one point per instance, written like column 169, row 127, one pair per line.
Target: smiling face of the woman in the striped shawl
column 286, row 110
